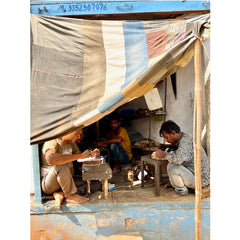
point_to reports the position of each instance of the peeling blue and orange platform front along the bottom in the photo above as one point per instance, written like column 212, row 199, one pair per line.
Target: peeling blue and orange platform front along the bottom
column 155, row 221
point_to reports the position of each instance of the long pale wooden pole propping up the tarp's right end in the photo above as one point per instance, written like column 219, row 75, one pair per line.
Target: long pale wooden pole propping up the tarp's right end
column 197, row 158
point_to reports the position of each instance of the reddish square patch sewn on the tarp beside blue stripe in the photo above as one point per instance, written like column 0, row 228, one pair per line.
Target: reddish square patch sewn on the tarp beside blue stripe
column 156, row 42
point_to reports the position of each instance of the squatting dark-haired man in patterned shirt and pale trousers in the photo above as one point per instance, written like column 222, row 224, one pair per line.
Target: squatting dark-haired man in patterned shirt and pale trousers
column 181, row 160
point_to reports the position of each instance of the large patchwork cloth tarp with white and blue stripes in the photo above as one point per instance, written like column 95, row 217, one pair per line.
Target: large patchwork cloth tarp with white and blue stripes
column 84, row 69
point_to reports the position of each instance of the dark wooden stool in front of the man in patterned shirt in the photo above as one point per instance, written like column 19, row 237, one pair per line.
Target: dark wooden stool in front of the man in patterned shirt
column 158, row 171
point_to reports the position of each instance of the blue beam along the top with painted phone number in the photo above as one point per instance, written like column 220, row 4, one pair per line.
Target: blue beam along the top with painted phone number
column 66, row 8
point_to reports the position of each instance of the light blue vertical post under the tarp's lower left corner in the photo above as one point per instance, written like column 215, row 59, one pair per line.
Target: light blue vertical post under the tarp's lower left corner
column 36, row 174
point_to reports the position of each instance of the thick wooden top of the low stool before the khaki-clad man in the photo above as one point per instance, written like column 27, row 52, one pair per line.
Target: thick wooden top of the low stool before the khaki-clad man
column 96, row 171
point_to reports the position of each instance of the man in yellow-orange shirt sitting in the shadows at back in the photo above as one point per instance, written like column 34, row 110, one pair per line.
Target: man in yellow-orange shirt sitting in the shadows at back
column 120, row 143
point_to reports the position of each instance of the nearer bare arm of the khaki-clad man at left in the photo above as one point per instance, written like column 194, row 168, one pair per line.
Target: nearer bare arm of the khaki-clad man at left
column 54, row 158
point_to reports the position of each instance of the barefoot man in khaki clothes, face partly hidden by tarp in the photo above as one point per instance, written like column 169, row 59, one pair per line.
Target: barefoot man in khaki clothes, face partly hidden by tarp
column 57, row 157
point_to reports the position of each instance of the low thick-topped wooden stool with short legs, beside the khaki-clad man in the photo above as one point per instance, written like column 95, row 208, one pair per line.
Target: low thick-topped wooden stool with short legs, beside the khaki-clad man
column 97, row 171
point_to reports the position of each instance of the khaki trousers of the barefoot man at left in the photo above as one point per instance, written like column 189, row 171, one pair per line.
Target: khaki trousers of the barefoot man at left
column 59, row 178
